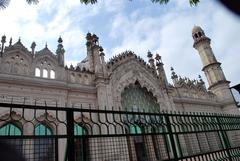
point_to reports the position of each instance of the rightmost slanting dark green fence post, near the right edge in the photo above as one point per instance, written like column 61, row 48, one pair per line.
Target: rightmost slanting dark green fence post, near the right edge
column 225, row 138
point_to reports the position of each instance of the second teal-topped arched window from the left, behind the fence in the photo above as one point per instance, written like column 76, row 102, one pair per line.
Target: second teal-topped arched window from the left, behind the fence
column 43, row 147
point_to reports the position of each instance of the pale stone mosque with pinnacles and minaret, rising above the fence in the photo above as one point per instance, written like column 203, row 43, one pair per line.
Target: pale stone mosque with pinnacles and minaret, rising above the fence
column 124, row 82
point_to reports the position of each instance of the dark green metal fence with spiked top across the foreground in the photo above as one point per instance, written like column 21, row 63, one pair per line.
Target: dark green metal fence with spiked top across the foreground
column 52, row 134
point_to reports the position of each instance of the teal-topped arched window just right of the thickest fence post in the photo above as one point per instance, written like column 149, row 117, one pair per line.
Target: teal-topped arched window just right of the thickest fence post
column 81, row 144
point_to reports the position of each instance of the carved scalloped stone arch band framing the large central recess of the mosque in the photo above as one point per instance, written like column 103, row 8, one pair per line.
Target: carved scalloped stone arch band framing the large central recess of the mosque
column 135, row 72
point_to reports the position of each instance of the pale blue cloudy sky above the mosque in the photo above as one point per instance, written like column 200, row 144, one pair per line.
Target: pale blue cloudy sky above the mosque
column 136, row 25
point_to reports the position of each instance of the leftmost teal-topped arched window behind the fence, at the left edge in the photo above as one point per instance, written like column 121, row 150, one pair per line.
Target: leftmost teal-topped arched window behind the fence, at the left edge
column 12, row 130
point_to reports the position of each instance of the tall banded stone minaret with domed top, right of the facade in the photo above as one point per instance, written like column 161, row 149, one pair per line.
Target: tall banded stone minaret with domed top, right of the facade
column 212, row 68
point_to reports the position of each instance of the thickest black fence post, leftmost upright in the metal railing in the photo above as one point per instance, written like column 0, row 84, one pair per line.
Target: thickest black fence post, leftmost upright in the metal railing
column 70, row 136
